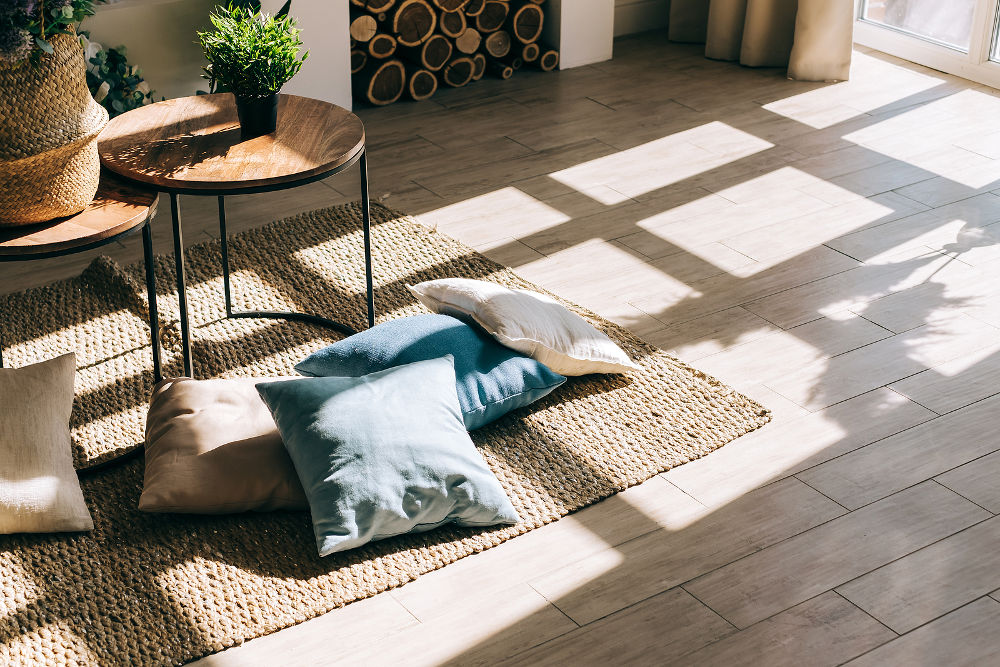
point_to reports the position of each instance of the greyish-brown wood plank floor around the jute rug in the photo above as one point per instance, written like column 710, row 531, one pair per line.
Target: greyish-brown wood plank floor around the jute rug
column 831, row 250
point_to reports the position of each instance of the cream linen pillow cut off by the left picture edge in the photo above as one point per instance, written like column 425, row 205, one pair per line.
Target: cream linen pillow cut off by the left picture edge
column 39, row 489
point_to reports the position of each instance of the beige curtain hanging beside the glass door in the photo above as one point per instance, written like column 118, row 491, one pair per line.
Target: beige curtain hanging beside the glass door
column 811, row 37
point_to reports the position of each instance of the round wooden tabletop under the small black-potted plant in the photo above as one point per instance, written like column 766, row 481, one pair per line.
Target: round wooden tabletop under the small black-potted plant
column 192, row 145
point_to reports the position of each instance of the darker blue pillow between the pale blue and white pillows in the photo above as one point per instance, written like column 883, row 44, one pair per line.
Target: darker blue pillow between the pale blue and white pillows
column 492, row 379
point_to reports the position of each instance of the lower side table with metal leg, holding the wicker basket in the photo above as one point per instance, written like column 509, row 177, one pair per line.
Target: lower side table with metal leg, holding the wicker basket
column 119, row 210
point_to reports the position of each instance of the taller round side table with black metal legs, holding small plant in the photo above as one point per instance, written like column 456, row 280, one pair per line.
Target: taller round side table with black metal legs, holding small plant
column 192, row 146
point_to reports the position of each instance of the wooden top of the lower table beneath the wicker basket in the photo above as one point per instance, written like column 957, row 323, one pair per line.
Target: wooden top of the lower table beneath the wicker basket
column 119, row 207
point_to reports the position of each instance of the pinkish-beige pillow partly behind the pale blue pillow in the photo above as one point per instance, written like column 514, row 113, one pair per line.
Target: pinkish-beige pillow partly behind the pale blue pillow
column 212, row 448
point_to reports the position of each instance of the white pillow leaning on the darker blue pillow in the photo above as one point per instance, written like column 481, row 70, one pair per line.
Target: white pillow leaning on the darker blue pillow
column 531, row 323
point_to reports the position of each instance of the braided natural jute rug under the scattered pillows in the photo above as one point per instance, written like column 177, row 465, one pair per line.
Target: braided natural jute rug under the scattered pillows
column 165, row 589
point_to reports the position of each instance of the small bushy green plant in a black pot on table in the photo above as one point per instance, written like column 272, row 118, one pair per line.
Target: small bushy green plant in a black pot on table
column 252, row 55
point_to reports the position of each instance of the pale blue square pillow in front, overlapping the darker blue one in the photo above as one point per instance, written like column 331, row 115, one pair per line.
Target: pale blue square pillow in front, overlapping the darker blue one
column 385, row 454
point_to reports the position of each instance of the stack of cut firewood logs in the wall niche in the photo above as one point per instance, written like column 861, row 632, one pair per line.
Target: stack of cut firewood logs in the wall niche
column 410, row 47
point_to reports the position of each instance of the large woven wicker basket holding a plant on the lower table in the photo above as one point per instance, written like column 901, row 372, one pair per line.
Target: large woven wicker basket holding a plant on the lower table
column 49, row 122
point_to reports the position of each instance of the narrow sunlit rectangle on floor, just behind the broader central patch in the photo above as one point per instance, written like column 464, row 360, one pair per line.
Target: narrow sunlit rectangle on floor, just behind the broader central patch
column 657, row 164
